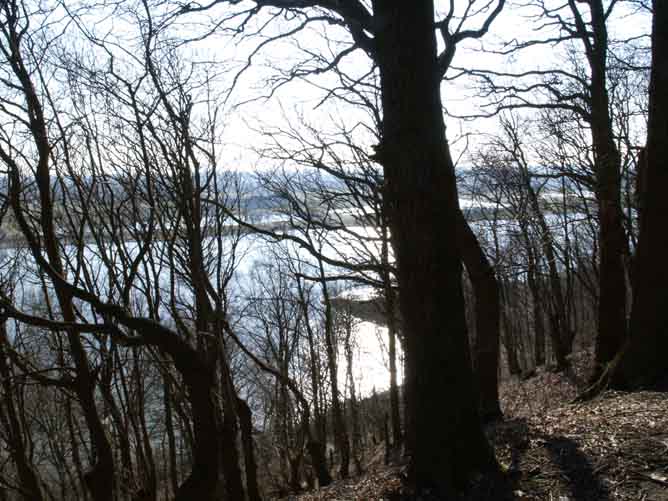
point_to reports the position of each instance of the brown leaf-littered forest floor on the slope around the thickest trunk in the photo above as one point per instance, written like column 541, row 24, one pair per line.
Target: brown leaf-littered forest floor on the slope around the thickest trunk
column 613, row 448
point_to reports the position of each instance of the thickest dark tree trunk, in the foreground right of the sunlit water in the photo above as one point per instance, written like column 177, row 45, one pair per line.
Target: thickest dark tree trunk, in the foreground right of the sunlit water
column 444, row 432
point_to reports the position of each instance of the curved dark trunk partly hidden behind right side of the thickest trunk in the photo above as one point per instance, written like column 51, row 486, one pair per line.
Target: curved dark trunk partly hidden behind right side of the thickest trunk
column 487, row 315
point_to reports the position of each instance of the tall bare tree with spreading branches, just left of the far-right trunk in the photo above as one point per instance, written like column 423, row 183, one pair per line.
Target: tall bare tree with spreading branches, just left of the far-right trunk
column 582, row 89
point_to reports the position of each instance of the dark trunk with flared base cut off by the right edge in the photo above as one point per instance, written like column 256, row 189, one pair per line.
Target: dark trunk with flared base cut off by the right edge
column 644, row 362
